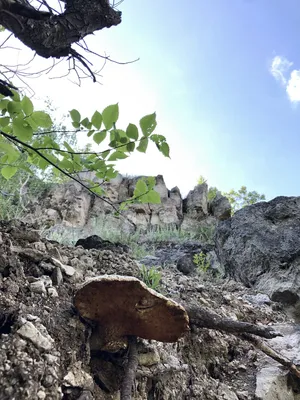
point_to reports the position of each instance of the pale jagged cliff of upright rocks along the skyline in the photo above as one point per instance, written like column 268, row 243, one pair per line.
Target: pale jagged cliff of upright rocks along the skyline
column 69, row 204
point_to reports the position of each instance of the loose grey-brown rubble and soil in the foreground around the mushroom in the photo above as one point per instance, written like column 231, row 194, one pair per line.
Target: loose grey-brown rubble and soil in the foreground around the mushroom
column 45, row 350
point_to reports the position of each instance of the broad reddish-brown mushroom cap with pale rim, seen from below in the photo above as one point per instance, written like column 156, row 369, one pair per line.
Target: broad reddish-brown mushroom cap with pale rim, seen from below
column 126, row 306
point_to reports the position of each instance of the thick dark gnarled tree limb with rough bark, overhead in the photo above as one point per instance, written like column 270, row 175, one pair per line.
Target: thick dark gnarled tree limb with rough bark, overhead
column 53, row 35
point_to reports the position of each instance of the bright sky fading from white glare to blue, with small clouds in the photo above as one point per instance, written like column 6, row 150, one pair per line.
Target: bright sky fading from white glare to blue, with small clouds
column 222, row 76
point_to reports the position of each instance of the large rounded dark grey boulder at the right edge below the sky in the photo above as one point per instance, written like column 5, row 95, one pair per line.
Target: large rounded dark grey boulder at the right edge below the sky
column 260, row 246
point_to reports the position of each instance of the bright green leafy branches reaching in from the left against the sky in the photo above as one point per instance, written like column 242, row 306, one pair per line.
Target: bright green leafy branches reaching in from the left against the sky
column 33, row 149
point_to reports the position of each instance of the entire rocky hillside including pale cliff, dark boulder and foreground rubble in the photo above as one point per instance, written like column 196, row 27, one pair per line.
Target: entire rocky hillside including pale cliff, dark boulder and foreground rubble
column 253, row 276
